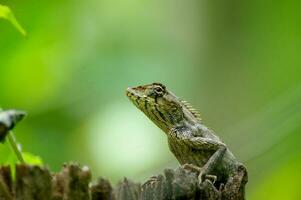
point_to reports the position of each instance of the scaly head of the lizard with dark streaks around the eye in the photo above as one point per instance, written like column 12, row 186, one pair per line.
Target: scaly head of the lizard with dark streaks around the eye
column 160, row 105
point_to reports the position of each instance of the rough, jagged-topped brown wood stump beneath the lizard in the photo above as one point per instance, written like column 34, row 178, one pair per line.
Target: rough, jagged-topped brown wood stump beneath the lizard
column 74, row 183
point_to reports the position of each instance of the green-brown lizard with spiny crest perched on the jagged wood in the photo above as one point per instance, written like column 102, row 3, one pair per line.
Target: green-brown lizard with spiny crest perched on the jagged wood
column 194, row 145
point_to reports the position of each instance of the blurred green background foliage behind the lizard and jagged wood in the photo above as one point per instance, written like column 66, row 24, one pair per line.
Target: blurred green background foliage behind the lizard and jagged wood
column 237, row 62
